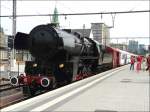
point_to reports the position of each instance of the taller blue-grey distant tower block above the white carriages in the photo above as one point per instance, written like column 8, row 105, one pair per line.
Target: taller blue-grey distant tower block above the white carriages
column 133, row 46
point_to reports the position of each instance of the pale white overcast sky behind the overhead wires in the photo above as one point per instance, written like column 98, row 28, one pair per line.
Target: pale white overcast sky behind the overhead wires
column 126, row 25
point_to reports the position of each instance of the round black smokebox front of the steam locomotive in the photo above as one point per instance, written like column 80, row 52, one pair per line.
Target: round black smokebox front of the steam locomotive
column 44, row 41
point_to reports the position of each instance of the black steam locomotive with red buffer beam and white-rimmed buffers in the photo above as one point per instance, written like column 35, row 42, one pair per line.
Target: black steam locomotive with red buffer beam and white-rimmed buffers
column 59, row 57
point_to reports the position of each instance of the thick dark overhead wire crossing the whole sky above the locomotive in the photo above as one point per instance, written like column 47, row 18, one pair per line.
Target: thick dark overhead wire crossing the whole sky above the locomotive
column 76, row 14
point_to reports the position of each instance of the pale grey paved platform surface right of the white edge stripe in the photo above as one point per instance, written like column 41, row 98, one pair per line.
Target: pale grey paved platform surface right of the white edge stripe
column 125, row 91
